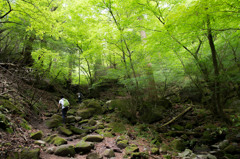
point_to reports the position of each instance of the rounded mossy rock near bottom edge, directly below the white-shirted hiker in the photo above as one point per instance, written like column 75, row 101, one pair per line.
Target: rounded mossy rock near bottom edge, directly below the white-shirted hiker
column 65, row 150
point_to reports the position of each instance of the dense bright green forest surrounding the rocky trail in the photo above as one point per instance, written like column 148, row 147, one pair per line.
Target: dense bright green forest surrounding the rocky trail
column 149, row 62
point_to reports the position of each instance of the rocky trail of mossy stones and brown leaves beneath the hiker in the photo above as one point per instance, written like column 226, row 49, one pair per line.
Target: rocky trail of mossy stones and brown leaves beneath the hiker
column 86, row 138
